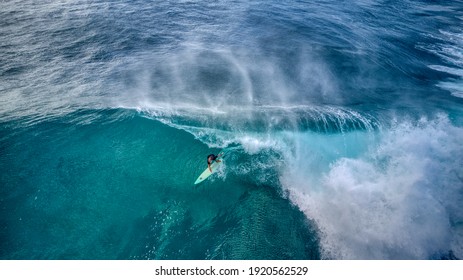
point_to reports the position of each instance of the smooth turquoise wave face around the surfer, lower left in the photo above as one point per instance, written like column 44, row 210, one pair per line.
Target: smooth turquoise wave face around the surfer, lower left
column 120, row 186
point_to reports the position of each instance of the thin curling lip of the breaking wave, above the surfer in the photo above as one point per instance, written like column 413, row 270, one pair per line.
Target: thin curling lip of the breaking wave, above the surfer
column 258, row 119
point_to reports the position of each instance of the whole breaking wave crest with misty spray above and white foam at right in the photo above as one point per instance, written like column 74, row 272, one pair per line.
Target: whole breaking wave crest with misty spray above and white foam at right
column 377, row 189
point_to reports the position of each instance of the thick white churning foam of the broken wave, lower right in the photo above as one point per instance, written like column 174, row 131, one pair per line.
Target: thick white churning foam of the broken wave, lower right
column 397, row 199
